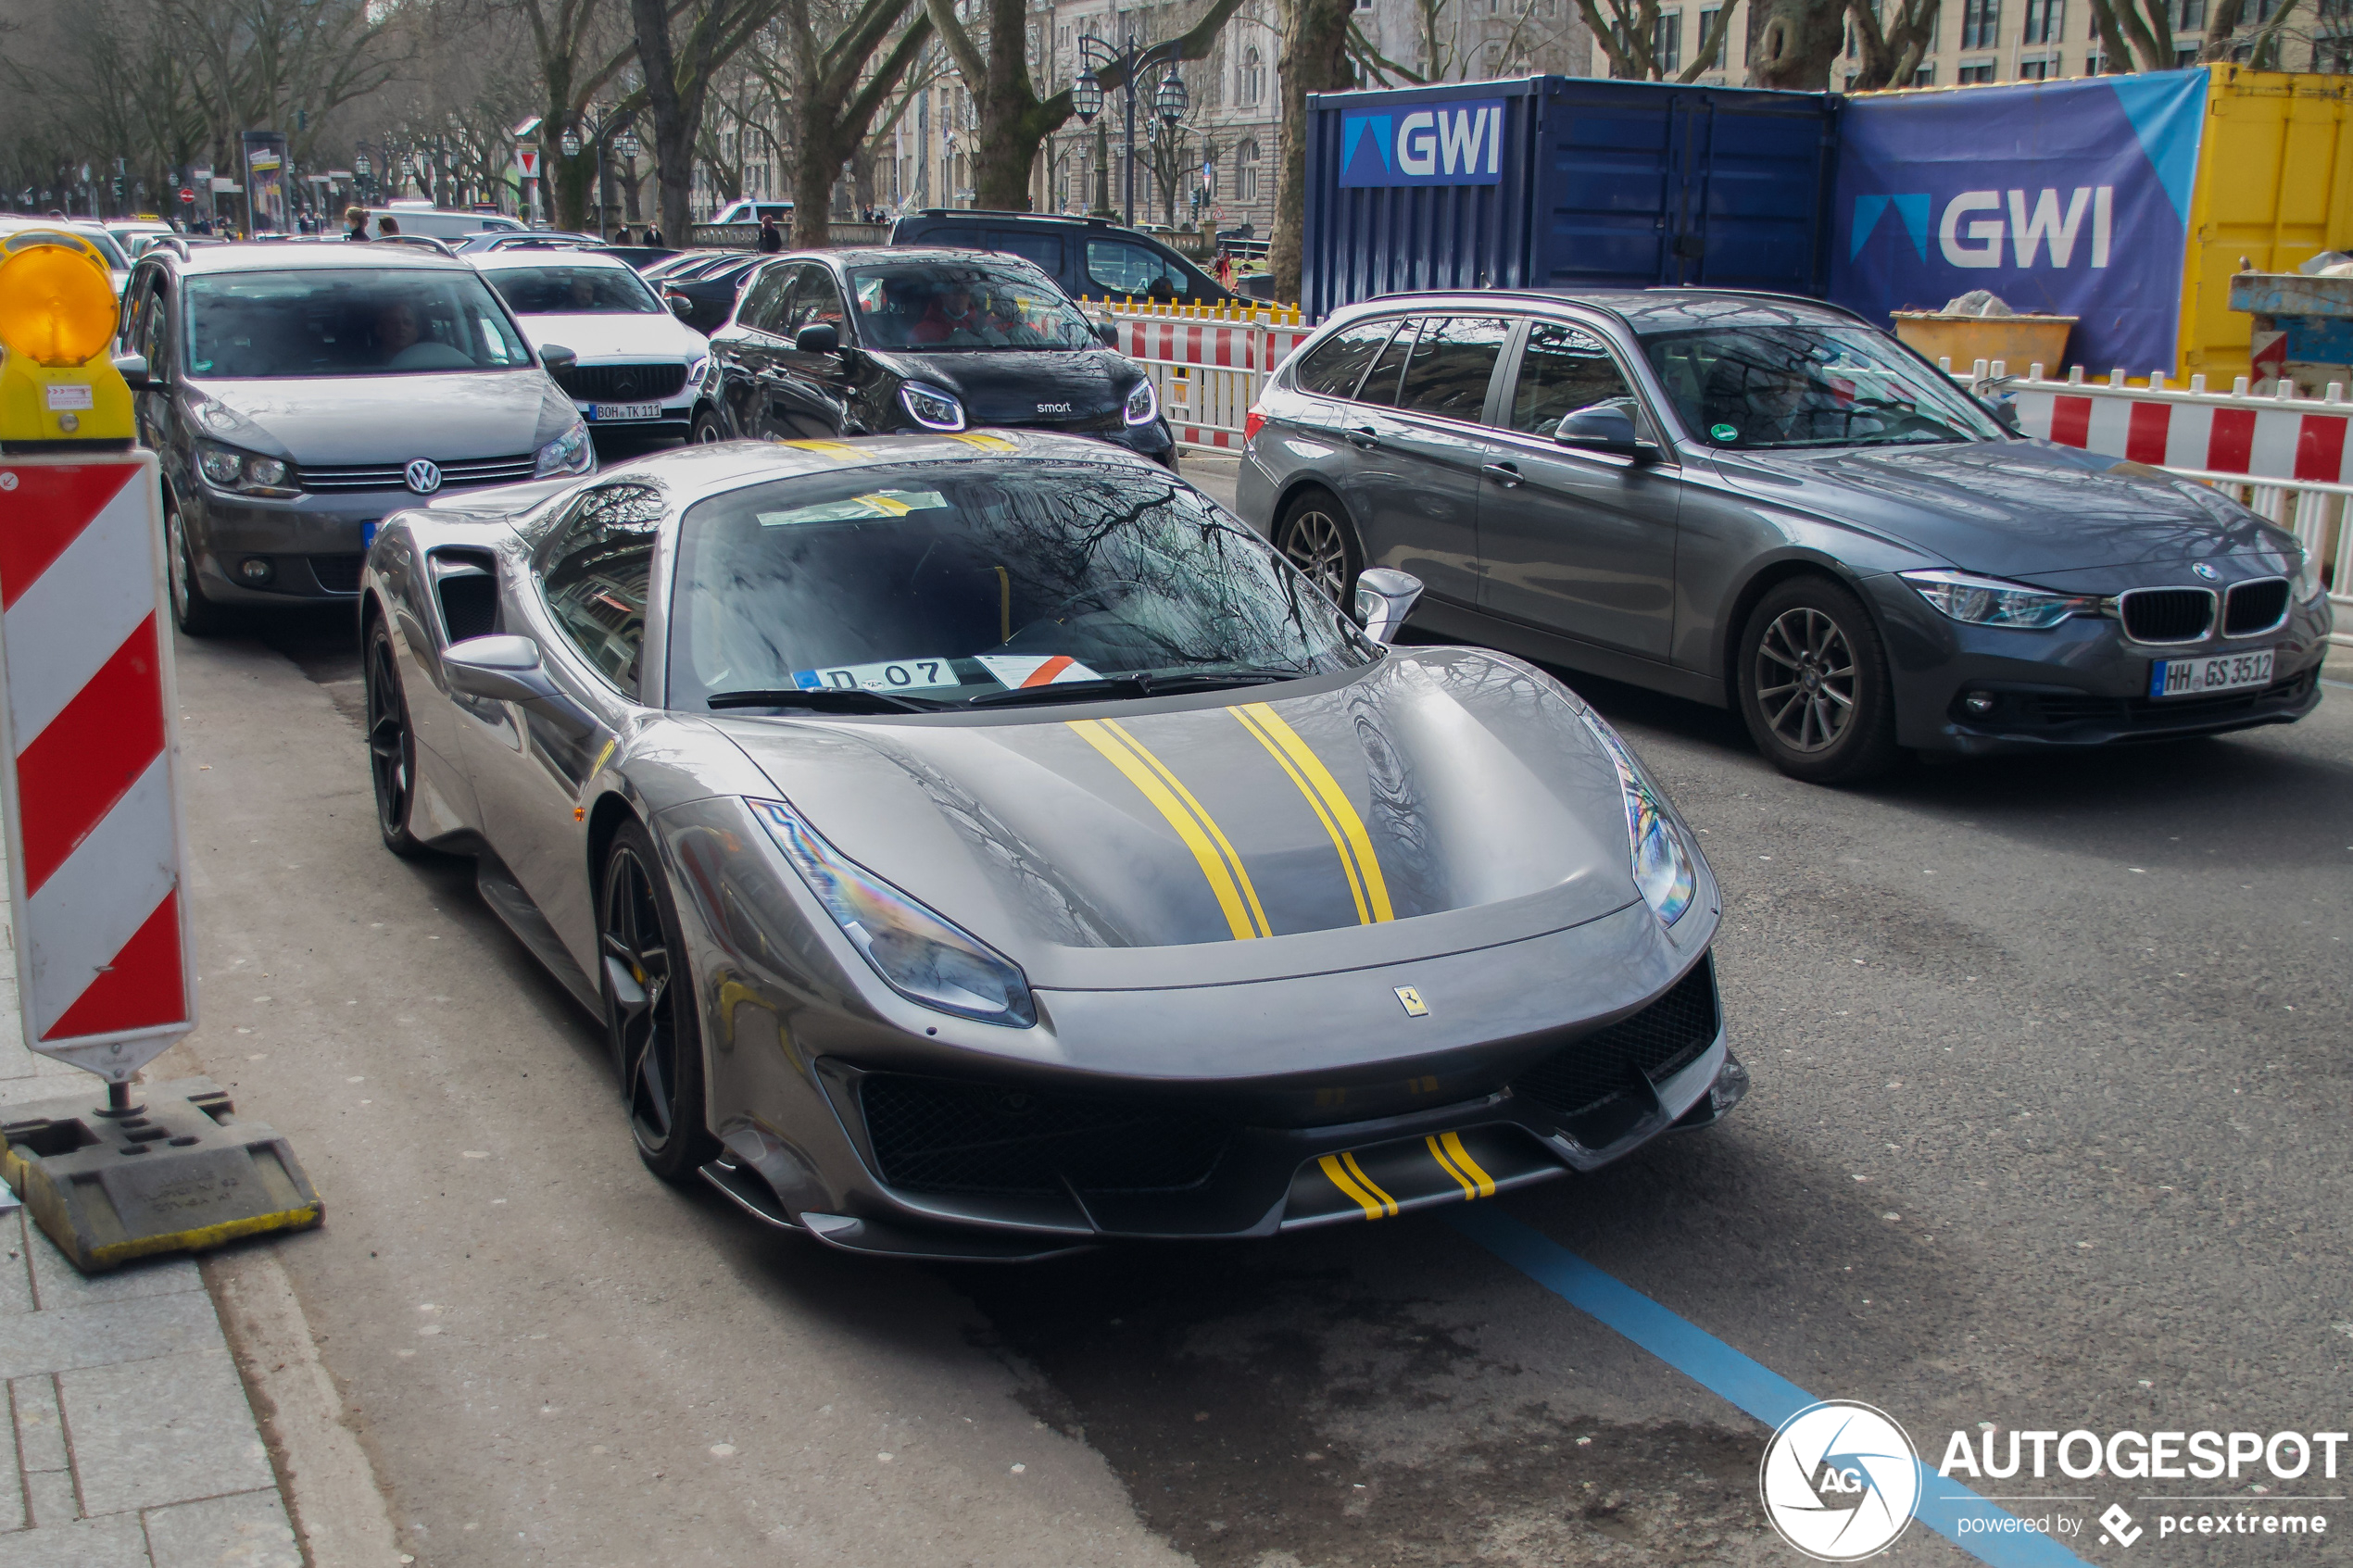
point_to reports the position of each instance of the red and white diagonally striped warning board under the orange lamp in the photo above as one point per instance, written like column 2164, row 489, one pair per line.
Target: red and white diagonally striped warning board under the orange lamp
column 88, row 749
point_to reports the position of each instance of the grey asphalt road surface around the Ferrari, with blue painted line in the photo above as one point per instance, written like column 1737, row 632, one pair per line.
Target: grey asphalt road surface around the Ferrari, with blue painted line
column 2048, row 1132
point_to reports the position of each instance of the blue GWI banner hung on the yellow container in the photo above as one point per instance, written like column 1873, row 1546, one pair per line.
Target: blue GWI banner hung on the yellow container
column 2067, row 199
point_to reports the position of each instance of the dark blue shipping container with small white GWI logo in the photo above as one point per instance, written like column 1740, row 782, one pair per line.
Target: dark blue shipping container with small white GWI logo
column 1566, row 182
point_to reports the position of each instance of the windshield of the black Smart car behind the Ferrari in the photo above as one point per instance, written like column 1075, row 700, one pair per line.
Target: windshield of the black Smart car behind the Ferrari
column 947, row 307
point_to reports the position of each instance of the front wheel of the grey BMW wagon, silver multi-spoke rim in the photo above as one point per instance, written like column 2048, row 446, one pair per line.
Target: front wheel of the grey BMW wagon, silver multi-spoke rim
column 1813, row 683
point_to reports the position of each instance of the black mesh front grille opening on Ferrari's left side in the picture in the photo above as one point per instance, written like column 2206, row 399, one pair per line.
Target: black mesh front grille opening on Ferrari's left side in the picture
column 949, row 1137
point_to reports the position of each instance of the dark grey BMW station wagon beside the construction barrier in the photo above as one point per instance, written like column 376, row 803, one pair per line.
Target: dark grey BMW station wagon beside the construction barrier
column 1773, row 507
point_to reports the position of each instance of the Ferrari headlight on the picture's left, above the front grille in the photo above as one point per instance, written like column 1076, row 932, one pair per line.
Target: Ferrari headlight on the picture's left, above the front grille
column 921, row 956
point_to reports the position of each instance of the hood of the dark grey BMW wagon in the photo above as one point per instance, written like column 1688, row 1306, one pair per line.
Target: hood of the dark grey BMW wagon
column 2008, row 509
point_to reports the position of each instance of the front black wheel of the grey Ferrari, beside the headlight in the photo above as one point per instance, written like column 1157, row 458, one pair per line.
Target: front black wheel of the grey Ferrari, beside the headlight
column 651, row 1010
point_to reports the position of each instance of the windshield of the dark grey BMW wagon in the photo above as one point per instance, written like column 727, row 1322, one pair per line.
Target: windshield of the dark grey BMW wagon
column 1811, row 387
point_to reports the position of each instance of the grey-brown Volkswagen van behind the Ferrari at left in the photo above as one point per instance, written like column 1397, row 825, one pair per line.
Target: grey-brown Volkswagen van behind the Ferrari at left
column 298, row 394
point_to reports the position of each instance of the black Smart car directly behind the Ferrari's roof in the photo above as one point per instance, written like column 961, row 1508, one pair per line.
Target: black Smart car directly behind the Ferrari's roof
column 829, row 344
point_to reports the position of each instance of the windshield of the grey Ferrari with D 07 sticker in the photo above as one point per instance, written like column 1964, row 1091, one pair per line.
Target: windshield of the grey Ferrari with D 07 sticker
column 947, row 584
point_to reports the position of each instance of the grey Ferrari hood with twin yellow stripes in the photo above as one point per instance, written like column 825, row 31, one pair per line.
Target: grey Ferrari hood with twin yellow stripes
column 1448, row 798
